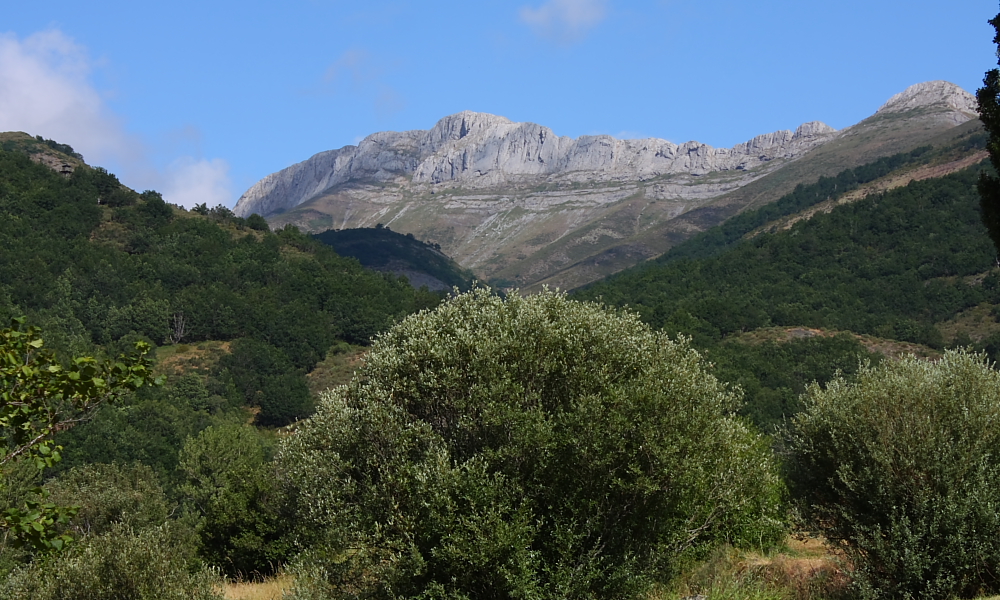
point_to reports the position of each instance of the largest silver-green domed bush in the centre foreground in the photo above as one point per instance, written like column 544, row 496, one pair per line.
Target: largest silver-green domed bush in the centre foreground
column 527, row 447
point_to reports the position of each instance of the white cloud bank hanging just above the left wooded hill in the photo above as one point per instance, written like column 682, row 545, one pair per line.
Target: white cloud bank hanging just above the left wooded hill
column 45, row 89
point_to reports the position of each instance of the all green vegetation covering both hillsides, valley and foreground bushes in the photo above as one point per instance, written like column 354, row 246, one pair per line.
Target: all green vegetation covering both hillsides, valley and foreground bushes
column 161, row 434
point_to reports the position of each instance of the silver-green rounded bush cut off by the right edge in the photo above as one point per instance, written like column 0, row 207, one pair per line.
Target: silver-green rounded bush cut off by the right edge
column 901, row 468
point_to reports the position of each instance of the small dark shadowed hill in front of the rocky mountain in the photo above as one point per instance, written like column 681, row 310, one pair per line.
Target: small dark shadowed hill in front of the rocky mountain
column 381, row 249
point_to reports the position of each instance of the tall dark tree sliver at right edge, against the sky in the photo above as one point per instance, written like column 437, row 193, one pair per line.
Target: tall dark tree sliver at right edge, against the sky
column 989, row 112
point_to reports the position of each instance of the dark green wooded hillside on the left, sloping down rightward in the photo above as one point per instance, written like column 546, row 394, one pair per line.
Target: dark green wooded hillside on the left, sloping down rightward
column 98, row 266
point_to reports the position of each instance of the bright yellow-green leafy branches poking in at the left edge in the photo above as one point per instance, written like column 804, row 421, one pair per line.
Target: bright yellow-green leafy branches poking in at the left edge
column 39, row 396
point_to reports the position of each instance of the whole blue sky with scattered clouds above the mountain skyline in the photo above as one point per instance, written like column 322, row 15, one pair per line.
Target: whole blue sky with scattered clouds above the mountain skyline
column 201, row 99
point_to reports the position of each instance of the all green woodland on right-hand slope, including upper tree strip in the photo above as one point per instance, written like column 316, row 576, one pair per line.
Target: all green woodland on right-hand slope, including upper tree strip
column 912, row 265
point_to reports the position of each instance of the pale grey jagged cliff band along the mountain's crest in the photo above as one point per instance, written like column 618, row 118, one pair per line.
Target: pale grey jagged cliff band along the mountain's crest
column 483, row 151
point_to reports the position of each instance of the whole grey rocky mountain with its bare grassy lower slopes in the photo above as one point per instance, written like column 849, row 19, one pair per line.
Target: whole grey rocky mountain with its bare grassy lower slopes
column 521, row 206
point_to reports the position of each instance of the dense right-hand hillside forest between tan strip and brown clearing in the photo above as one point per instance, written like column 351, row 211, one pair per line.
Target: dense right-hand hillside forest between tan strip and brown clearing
column 893, row 265
